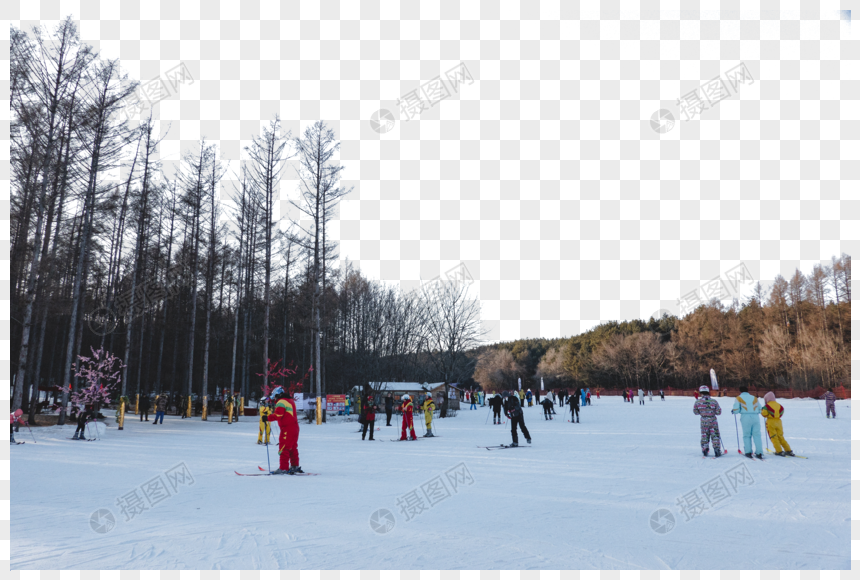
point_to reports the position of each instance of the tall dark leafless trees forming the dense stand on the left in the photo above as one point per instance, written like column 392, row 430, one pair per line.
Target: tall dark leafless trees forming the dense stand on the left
column 145, row 268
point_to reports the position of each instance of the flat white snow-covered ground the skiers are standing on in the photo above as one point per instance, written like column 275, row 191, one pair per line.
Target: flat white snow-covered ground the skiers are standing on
column 582, row 497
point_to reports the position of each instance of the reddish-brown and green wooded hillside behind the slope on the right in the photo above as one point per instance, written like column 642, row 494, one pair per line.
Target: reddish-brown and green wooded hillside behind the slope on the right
column 796, row 336
